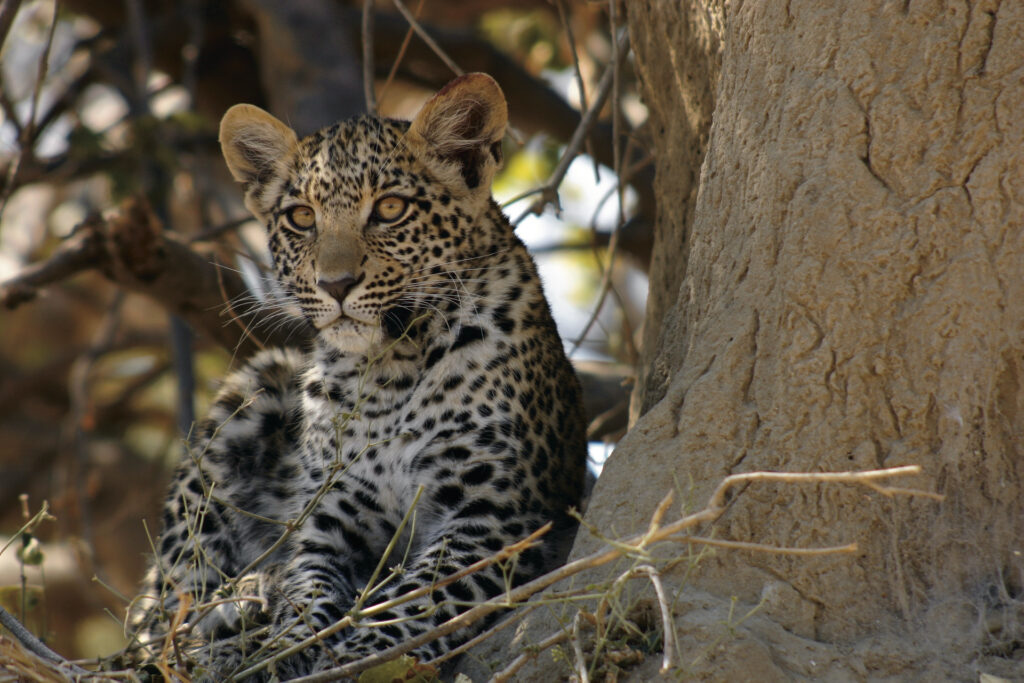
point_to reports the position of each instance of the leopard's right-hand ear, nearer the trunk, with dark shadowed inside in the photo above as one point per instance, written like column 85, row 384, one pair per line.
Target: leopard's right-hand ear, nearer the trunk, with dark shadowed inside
column 461, row 130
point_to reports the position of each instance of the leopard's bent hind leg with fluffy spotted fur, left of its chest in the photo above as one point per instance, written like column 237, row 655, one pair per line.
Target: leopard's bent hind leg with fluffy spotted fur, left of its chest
column 219, row 517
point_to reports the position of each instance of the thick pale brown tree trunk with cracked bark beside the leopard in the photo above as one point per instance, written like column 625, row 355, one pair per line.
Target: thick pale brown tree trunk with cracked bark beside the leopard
column 848, row 296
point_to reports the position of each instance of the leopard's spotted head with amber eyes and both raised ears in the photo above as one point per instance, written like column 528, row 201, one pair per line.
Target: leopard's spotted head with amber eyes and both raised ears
column 365, row 217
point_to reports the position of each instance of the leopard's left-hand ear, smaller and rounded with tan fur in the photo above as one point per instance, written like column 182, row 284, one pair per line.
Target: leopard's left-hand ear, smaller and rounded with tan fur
column 255, row 145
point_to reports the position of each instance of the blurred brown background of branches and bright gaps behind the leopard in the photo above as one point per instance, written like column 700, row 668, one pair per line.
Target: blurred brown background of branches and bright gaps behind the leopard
column 108, row 101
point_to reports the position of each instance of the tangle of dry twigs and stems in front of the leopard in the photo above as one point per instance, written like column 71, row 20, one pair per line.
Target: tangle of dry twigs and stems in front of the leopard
column 605, row 632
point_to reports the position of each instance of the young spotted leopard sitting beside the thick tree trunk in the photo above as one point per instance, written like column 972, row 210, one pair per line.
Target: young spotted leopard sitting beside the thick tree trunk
column 434, row 422
